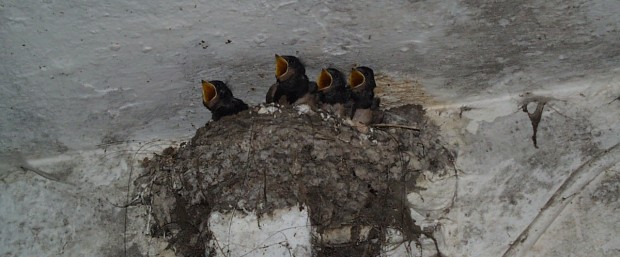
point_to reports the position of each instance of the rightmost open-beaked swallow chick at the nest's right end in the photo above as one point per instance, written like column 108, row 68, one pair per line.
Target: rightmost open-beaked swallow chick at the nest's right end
column 365, row 104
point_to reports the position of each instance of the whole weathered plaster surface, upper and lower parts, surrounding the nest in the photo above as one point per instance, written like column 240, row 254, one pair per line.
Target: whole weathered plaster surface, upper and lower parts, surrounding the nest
column 77, row 76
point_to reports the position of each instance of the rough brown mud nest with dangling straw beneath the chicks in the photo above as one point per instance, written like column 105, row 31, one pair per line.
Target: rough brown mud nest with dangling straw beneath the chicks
column 271, row 158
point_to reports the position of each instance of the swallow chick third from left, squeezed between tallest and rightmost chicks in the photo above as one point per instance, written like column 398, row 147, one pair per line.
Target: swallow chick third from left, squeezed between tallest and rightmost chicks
column 333, row 93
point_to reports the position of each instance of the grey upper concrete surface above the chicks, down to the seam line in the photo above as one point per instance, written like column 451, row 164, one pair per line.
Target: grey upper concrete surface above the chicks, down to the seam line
column 80, row 73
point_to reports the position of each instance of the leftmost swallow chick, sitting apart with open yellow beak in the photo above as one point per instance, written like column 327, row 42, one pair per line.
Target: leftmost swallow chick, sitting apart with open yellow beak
column 218, row 98
